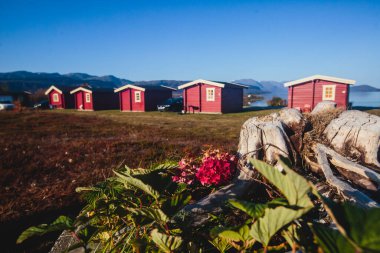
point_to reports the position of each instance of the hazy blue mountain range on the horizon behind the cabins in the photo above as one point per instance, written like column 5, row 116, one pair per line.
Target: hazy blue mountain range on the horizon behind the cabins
column 29, row 81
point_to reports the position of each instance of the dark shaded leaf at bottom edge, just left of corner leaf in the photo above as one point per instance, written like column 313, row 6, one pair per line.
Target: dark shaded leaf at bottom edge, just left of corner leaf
column 331, row 241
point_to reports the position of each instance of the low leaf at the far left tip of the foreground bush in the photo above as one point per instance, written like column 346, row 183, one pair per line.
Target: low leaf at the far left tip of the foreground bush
column 60, row 224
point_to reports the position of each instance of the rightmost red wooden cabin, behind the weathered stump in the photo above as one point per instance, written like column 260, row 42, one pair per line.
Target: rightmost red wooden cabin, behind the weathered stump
column 304, row 94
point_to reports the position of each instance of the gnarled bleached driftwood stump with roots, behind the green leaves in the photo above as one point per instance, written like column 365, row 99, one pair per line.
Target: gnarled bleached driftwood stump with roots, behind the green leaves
column 345, row 153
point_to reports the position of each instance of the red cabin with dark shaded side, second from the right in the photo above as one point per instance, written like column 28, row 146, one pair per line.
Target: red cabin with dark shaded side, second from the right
column 203, row 96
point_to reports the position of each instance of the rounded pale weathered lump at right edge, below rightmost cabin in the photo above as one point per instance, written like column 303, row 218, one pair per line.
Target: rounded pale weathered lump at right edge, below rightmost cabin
column 356, row 133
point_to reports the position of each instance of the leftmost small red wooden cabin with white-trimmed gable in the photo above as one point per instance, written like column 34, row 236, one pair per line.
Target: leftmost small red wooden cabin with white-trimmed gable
column 60, row 97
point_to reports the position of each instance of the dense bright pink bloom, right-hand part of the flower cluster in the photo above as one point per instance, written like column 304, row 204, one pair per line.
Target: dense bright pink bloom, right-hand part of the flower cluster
column 217, row 168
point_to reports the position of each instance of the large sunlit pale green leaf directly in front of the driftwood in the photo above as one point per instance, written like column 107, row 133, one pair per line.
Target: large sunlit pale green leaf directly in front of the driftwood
column 294, row 187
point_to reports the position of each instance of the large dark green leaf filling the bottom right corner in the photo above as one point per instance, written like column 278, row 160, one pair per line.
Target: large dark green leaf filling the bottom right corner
column 360, row 226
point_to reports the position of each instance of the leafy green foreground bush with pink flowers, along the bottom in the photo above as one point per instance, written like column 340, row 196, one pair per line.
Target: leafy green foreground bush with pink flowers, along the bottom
column 141, row 211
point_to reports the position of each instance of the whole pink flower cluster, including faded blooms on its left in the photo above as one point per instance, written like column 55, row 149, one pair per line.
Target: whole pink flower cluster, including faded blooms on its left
column 215, row 168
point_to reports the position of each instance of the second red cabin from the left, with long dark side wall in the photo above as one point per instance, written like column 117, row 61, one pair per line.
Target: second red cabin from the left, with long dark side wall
column 90, row 99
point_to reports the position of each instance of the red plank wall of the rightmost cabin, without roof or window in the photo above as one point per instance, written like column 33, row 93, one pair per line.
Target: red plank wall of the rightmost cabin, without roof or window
column 301, row 96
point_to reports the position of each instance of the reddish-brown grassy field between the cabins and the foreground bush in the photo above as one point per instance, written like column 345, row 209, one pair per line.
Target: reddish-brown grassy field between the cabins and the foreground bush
column 46, row 155
